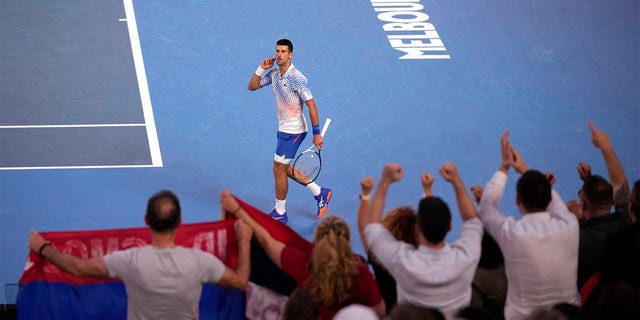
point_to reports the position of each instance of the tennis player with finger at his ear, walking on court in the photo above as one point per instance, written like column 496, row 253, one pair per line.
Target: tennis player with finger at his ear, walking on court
column 291, row 90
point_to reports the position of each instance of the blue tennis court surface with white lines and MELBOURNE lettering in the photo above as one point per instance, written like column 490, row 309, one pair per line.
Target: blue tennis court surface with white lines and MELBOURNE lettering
column 83, row 143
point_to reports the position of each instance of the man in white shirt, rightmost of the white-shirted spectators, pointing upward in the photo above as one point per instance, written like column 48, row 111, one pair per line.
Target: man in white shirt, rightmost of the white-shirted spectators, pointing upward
column 540, row 249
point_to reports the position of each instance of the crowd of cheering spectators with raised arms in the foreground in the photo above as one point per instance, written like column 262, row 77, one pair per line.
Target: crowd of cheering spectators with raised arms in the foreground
column 555, row 259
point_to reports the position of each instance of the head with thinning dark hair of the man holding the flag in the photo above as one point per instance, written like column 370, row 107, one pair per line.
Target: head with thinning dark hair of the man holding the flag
column 163, row 211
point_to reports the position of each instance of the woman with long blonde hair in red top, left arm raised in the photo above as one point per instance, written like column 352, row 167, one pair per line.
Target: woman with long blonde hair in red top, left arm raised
column 334, row 275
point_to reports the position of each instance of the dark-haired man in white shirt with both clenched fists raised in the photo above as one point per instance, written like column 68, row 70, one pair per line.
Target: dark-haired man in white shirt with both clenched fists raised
column 436, row 274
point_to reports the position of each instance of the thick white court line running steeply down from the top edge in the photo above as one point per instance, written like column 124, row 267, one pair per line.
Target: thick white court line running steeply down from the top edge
column 154, row 144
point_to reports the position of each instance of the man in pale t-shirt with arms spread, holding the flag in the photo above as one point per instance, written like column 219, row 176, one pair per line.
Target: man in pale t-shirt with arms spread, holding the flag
column 162, row 280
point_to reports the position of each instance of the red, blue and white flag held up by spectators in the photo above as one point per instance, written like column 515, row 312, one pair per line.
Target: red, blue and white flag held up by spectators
column 46, row 292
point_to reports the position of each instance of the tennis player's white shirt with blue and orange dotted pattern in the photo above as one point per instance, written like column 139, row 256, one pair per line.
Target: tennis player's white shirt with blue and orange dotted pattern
column 291, row 91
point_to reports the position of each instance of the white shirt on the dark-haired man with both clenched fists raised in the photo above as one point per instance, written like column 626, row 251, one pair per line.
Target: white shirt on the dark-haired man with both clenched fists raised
column 427, row 277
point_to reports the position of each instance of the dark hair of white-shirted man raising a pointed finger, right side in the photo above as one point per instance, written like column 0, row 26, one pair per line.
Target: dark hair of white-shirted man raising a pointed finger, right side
column 534, row 190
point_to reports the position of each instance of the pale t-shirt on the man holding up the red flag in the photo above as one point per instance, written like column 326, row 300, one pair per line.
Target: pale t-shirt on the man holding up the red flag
column 163, row 283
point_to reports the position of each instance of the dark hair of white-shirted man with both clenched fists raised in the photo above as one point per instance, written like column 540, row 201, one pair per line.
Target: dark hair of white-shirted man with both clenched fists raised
column 434, row 219
